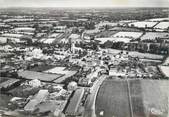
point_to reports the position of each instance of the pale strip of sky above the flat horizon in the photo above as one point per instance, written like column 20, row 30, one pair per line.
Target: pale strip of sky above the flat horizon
column 84, row 3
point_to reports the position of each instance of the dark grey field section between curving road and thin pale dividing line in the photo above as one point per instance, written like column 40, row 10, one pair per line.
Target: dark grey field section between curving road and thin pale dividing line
column 112, row 99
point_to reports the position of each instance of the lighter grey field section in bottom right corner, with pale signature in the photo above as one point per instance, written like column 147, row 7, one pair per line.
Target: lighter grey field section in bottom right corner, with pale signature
column 155, row 95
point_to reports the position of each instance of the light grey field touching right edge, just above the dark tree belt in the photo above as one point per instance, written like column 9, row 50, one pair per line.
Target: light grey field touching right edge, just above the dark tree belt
column 154, row 35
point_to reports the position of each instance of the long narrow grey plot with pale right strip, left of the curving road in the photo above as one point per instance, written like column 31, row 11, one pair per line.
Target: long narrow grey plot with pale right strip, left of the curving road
column 72, row 109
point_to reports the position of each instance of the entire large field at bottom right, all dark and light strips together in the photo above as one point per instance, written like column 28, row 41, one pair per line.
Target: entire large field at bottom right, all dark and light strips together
column 137, row 98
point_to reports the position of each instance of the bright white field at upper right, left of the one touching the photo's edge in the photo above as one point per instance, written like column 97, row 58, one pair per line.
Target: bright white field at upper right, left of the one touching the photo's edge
column 143, row 24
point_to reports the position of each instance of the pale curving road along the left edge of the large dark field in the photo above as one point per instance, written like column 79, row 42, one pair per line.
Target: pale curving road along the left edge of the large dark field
column 90, row 101
